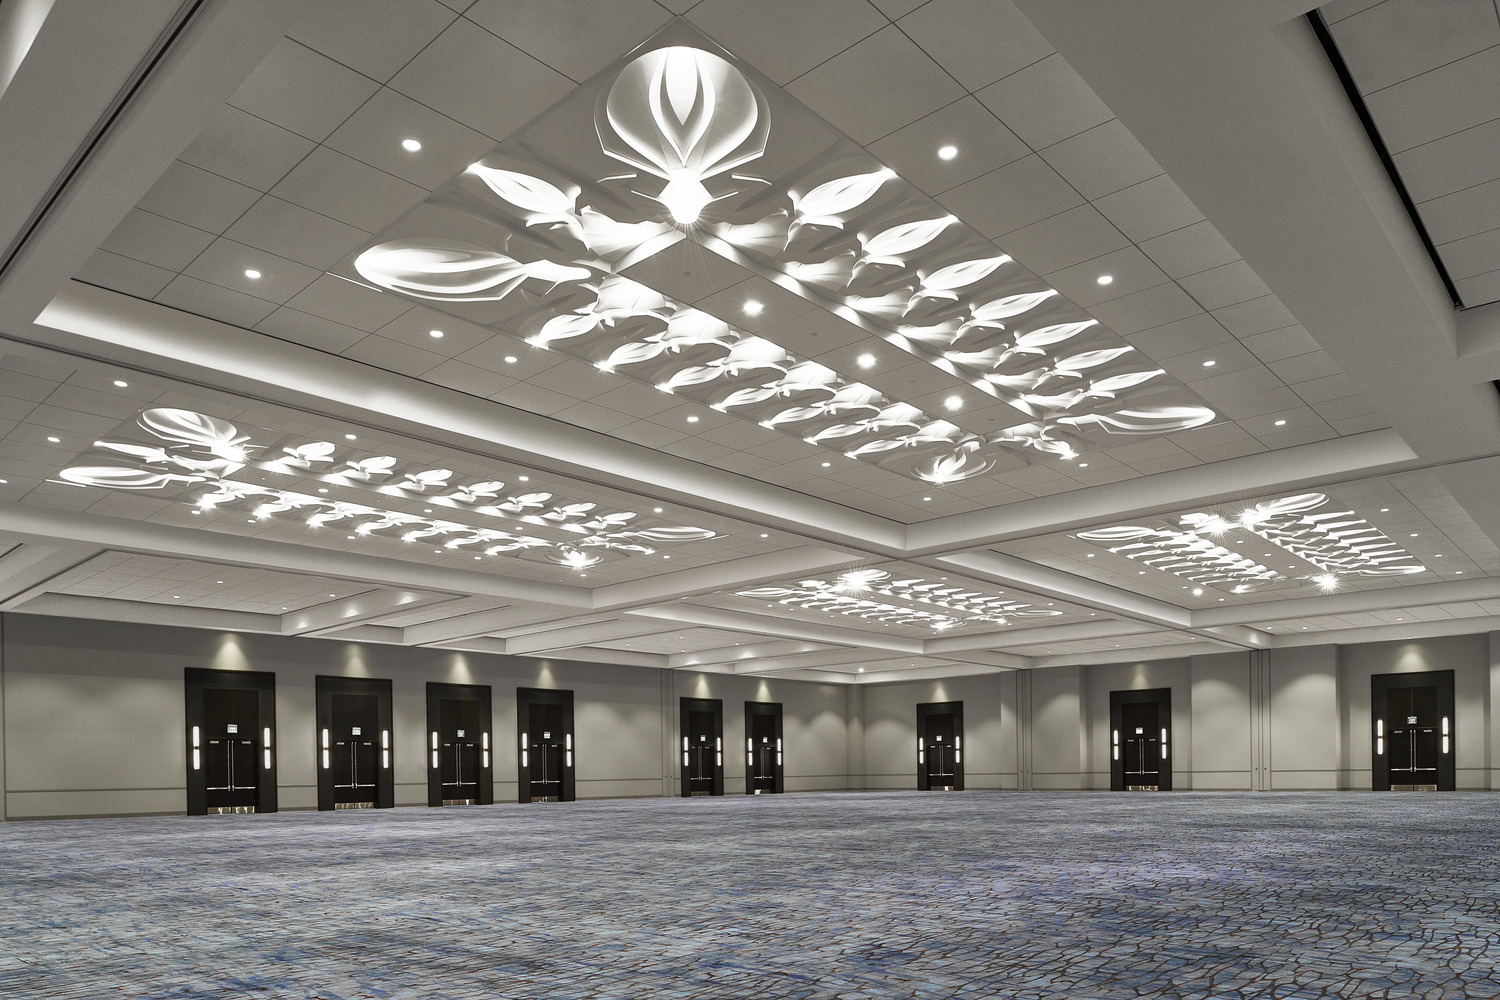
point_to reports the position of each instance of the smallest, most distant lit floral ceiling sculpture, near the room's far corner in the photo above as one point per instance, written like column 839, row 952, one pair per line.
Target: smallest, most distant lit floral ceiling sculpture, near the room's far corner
column 851, row 594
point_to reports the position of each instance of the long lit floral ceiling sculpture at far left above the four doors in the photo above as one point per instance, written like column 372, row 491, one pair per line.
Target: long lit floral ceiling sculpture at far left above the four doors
column 200, row 458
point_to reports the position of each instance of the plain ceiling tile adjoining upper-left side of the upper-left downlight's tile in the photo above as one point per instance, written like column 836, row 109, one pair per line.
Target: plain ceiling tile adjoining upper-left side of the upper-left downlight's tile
column 302, row 91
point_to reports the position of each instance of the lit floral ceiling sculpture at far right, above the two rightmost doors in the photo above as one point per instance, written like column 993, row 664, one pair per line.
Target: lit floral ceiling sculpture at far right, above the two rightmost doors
column 1340, row 543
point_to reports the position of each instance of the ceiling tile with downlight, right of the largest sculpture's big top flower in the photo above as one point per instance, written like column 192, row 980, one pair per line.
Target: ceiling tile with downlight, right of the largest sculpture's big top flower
column 983, row 145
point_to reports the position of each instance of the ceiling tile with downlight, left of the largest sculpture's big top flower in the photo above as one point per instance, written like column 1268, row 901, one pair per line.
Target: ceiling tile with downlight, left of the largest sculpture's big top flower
column 376, row 134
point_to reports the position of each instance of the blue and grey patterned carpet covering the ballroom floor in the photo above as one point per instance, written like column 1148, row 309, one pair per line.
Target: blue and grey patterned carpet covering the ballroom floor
column 1085, row 896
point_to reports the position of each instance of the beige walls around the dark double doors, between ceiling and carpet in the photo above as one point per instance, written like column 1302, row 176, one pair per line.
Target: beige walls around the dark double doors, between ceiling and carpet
column 92, row 717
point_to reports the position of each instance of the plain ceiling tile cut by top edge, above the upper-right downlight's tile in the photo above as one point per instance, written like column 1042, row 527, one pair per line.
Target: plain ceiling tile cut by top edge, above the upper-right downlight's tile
column 977, row 41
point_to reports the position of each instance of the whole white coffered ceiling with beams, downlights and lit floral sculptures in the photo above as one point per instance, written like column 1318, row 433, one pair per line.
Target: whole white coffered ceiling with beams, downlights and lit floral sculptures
column 847, row 341
